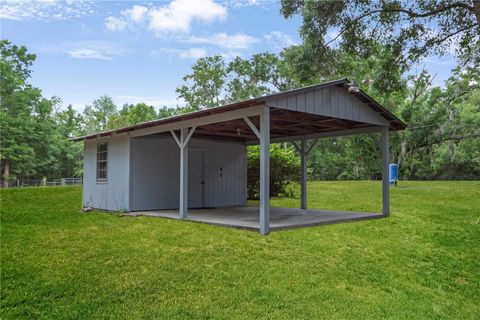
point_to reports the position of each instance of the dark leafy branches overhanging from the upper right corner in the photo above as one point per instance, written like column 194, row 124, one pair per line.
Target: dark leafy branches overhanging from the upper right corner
column 407, row 30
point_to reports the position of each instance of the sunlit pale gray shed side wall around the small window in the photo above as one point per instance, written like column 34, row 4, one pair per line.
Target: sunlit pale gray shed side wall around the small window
column 113, row 194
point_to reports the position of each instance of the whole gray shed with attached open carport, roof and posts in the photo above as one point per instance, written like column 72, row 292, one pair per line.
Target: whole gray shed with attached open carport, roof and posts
column 198, row 160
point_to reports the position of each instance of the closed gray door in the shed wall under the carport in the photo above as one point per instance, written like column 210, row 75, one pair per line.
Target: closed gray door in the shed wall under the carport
column 196, row 177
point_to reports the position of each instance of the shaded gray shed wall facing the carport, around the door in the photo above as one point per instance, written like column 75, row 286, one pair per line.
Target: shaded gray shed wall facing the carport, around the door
column 155, row 173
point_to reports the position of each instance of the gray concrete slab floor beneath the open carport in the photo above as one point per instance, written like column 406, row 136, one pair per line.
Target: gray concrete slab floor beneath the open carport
column 248, row 217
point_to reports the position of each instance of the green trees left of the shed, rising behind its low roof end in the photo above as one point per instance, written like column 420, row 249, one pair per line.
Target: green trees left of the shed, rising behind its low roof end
column 35, row 129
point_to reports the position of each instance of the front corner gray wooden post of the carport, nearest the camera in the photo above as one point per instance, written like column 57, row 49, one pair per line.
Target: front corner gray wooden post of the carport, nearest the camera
column 265, row 171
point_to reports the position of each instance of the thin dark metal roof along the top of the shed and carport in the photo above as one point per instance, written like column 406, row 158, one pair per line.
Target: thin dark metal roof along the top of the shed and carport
column 395, row 122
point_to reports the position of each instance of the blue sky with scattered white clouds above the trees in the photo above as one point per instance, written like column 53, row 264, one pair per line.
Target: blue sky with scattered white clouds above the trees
column 139, row 51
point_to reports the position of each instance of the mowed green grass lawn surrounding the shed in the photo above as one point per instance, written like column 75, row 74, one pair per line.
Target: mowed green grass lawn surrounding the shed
column 421, row 263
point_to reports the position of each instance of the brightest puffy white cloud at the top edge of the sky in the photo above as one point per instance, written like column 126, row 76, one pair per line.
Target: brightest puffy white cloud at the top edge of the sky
column 175, row 17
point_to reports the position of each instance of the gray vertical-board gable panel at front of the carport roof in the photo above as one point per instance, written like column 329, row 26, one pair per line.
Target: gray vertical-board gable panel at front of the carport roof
column 331, row 102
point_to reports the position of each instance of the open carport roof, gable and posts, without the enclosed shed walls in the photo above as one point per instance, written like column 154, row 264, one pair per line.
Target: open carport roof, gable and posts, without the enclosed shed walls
column 331, row 109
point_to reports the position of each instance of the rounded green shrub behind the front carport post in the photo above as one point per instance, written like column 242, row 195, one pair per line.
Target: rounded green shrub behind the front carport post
column 284, row 169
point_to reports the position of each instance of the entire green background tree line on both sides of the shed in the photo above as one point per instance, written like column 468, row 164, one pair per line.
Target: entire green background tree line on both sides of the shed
column 378, row 44
